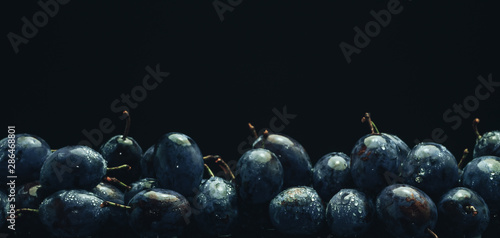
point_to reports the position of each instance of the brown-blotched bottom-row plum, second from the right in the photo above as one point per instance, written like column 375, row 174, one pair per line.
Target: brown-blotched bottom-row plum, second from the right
column 406, row 211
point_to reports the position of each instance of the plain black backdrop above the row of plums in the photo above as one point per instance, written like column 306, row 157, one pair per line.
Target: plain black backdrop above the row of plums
column 263, row 57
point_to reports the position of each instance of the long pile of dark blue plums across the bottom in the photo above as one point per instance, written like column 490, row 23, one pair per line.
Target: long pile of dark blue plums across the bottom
column 383, row 189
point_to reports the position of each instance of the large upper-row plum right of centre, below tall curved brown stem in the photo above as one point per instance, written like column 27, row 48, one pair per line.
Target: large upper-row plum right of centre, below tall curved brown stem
column 375, row 160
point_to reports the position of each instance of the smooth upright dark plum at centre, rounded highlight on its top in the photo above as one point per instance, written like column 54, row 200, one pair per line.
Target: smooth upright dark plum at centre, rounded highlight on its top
column 260, row 176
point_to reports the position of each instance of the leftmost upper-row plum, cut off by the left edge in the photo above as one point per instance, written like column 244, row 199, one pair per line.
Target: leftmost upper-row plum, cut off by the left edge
column 30, row 154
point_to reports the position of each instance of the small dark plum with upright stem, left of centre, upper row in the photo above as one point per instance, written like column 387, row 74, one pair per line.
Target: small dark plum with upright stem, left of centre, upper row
column 123, row 149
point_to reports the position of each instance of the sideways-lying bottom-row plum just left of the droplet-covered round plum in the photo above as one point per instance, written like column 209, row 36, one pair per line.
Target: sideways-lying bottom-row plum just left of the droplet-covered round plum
column 159, row 212
